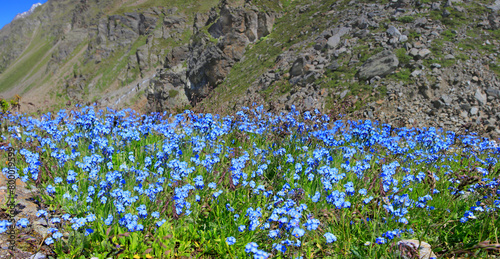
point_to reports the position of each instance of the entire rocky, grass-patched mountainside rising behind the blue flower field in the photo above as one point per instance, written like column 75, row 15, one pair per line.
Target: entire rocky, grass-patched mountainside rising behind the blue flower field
column 404, row 62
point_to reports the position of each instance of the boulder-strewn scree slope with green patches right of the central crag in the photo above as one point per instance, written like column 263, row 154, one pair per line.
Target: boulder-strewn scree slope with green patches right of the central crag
column 415, row 64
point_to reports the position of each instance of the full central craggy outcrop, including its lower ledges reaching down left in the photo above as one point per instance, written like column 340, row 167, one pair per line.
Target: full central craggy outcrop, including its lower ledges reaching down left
column 219, row 42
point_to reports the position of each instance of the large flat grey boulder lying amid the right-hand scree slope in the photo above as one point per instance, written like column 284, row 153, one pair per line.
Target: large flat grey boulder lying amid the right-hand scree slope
column 380, row 64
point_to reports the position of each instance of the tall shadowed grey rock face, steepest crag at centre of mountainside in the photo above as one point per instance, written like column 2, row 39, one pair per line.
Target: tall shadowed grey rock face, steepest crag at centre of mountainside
column 210, row 62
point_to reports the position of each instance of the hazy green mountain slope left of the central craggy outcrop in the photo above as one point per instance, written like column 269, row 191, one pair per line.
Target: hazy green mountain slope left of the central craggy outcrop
column 79, row 51
